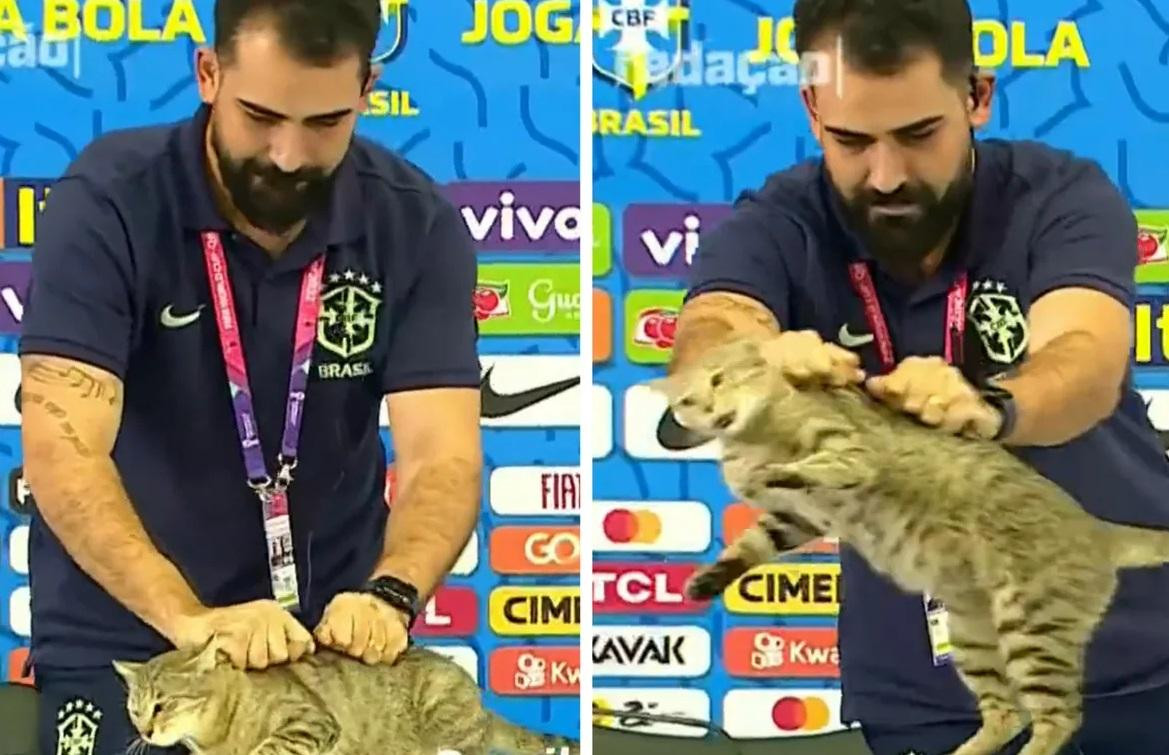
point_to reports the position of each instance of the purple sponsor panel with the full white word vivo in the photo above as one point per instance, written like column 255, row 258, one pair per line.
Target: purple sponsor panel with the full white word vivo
column 521, row 216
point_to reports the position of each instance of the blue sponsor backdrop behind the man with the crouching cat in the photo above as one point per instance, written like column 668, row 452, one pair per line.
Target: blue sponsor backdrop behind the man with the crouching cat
column 481, row 95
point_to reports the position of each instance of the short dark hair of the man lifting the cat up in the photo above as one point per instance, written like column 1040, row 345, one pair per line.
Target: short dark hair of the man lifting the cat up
column 881, row 37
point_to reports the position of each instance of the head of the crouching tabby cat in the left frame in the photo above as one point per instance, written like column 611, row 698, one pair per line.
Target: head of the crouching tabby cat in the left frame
column 178, row 697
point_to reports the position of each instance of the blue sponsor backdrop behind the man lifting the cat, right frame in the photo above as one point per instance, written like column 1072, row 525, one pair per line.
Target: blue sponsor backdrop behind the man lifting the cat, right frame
column 701, row 108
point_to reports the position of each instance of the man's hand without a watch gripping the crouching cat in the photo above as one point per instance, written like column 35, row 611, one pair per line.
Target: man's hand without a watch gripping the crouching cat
column 253, row 635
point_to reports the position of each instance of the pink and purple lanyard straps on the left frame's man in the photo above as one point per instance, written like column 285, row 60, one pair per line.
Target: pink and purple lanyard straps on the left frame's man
column 308, row 310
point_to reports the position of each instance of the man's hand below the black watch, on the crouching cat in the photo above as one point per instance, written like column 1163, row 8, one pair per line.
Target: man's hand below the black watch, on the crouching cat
column 364, row 627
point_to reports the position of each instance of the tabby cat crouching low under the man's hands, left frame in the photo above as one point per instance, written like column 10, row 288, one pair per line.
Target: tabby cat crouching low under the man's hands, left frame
column 323, row 704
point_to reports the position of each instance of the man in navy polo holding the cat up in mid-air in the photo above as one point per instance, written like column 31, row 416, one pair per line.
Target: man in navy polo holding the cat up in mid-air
column 862, row 264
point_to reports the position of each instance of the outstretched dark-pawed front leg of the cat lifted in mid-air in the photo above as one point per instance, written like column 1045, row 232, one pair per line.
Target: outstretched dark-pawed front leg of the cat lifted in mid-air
column 776, row 532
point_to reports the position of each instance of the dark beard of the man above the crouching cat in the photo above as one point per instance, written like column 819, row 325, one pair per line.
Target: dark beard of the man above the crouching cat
column 268, row 198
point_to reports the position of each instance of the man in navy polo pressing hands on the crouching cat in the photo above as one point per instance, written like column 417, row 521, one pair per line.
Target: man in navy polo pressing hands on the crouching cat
column 218, row 310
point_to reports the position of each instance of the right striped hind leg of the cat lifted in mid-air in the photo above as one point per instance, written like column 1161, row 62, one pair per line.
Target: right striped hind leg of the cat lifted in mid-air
column 1045, row 631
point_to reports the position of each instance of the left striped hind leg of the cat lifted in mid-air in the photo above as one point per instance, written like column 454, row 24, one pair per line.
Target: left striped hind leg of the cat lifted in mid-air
column 983, row 669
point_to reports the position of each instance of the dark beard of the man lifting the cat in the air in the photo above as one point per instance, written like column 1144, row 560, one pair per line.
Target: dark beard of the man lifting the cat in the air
column 902, row 241
